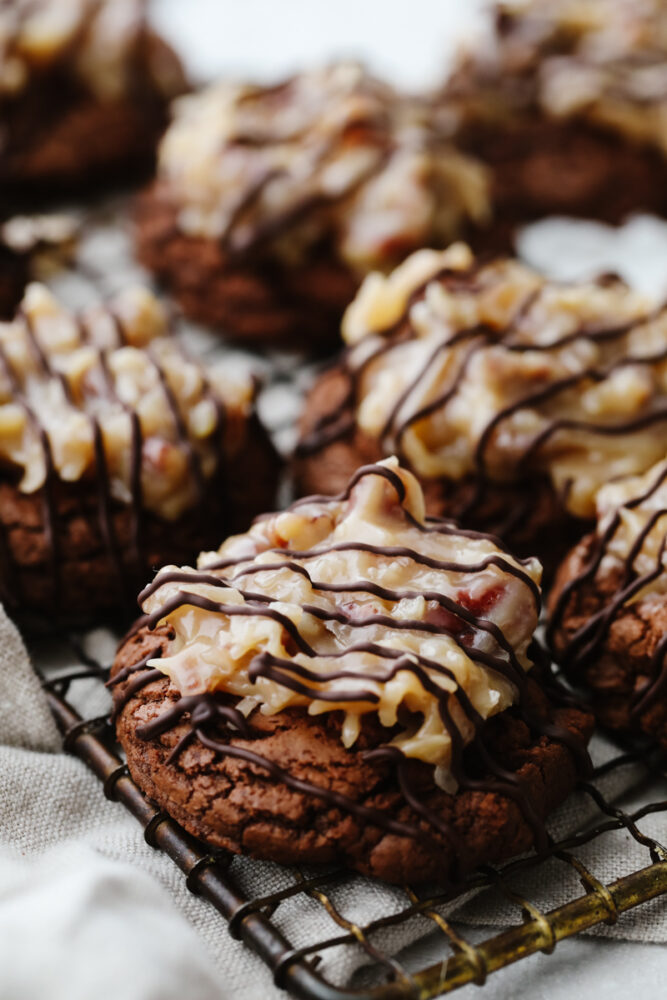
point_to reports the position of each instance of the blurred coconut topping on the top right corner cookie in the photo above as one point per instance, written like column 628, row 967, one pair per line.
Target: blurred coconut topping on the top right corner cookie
column 604, row 60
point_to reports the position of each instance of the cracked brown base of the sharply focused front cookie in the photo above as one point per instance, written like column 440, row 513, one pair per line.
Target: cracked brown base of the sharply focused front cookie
column 240, row 806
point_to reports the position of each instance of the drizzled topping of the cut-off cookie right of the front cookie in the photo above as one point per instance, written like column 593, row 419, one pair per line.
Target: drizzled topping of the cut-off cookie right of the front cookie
column 627, row 563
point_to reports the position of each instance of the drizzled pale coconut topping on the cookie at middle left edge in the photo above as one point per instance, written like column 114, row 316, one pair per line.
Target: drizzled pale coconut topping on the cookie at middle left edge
column 112, row 388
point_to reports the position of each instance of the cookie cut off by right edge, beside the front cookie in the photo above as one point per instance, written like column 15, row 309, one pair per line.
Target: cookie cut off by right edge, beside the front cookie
column 608, row 608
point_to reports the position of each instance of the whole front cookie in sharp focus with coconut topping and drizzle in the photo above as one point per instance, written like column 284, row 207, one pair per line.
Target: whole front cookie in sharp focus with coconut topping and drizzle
column 349, row 682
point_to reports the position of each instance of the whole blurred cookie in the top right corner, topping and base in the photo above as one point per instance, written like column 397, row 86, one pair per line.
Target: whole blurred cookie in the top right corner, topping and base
column 566, row 103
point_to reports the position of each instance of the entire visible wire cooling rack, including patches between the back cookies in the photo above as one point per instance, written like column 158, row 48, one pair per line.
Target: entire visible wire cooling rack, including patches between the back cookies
column 102, row 264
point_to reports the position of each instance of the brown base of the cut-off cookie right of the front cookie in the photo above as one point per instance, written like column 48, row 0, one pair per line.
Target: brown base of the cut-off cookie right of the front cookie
column 619, row 672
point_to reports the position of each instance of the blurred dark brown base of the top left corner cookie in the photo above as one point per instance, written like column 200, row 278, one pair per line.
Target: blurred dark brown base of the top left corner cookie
column 61, row 140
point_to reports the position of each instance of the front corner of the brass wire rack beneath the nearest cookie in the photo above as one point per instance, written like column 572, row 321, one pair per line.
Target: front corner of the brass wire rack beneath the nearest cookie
column 254, row 919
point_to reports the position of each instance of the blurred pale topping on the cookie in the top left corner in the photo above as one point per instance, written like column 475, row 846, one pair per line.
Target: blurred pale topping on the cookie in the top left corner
column 97, row 42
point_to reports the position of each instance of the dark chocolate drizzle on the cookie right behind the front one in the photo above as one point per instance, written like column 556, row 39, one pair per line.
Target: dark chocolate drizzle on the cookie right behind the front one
column 340, row 422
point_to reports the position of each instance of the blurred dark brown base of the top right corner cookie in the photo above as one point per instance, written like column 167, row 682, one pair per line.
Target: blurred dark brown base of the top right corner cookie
column 545, row 167
